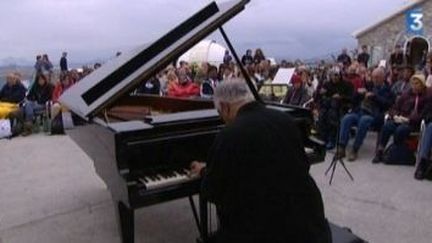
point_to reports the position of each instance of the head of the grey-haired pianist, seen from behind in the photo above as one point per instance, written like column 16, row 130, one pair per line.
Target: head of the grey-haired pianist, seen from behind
column 229, row 97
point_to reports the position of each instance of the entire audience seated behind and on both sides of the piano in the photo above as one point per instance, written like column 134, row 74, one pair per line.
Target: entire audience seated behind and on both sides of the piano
column 343, row 95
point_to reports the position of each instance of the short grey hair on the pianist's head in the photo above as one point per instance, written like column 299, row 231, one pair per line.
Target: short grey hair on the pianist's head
column 232, row 91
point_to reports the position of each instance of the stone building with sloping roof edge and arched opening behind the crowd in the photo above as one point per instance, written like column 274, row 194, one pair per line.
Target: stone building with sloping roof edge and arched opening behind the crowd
column 410, row 27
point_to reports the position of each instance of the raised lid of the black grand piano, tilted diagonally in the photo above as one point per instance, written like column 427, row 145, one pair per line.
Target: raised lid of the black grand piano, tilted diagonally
column 123, row 74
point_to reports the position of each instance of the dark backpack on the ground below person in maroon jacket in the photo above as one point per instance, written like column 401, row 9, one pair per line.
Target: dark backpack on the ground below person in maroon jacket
column 399, row 154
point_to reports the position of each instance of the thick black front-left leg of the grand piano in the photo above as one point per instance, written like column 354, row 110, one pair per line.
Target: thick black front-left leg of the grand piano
column 125, row 217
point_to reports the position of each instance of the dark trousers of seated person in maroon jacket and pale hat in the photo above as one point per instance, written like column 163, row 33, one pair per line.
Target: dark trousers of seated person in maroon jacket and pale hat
column 400, row 133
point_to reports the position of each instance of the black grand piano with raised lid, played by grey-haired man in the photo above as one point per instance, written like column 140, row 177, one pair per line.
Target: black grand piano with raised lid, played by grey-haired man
column 142, row 145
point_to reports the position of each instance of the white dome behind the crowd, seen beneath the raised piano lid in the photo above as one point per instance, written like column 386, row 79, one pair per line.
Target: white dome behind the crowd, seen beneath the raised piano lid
column 205, row 51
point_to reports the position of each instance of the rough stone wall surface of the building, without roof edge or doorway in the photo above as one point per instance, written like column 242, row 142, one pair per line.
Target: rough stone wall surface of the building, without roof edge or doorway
column 383, row 38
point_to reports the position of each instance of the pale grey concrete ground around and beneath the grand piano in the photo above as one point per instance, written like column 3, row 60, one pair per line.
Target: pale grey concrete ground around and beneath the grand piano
column 49, row 192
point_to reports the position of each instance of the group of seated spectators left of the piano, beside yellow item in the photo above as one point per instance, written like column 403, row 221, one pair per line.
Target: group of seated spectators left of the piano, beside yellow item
column 29, row 107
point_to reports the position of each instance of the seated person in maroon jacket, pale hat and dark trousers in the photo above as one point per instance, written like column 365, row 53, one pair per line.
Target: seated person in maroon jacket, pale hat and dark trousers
column 405, row 116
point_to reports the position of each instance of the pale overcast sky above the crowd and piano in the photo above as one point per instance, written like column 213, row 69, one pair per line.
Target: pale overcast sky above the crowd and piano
column 92, row 30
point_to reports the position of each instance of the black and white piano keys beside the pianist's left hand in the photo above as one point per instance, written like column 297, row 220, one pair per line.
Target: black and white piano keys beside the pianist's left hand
column 165, row 179
